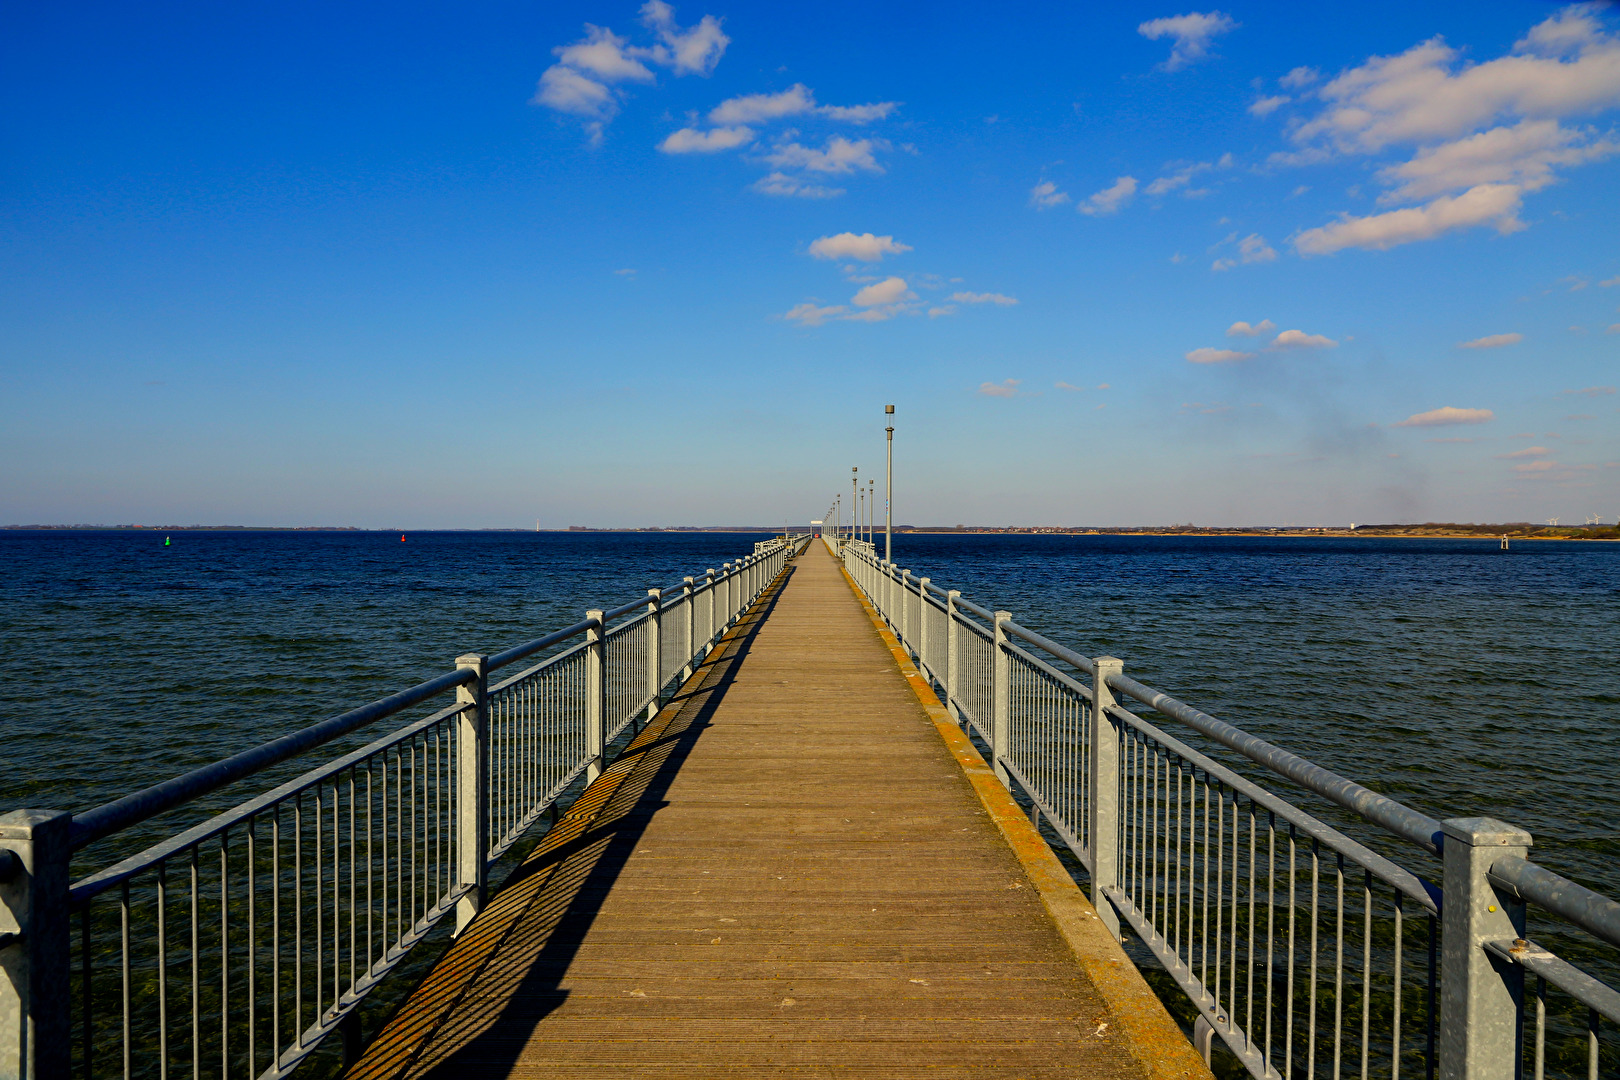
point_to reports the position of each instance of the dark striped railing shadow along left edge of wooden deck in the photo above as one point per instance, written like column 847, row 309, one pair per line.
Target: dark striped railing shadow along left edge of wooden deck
column 518, row 985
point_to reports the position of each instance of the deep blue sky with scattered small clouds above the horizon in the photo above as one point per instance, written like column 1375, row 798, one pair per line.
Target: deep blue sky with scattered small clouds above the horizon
column 616, row 265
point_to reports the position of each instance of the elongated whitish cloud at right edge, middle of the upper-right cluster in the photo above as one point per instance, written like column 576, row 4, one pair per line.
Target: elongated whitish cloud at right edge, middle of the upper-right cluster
column 1524, row 155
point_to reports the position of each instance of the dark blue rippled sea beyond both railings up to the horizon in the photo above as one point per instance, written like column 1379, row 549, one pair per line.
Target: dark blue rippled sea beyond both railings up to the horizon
column 1457, row 678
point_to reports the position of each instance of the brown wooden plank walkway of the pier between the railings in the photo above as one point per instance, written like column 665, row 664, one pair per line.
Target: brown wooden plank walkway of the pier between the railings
column 788, row 874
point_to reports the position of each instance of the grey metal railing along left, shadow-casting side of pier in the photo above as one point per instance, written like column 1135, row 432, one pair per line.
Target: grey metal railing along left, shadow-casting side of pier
column 236, row 946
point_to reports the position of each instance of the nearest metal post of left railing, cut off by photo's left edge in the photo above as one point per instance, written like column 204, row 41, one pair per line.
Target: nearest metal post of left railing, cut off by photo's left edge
column 36, row 948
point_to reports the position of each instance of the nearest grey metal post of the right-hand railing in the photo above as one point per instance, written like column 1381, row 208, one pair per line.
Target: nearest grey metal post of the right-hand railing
column 1480, row 995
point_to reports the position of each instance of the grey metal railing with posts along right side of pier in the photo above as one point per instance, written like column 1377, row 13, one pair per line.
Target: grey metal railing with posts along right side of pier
column 1307, row 951
